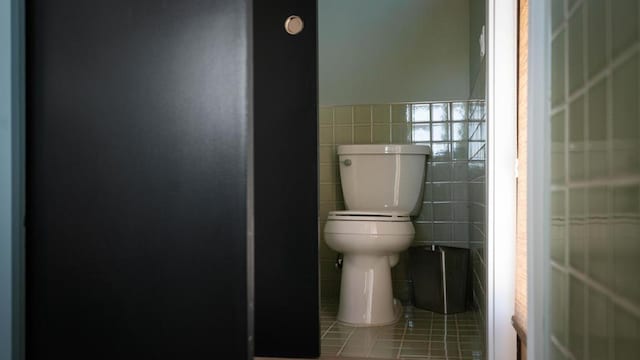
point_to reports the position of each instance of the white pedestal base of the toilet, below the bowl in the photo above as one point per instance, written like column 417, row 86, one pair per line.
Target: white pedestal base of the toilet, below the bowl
column 366, row 294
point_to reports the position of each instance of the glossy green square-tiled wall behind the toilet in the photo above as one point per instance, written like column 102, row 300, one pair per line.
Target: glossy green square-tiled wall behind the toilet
column 450, row 129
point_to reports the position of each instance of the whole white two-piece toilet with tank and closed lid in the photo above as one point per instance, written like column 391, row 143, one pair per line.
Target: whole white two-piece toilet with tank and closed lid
column 382, row 187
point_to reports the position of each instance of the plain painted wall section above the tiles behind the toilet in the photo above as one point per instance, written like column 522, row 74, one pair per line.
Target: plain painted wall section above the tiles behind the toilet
column 384, row 51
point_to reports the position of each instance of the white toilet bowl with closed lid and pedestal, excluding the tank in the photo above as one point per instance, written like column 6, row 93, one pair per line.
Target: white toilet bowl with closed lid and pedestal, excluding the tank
column 370, row 243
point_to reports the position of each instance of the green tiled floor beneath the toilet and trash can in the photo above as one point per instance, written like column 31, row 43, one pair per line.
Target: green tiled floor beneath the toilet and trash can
column 420, row 334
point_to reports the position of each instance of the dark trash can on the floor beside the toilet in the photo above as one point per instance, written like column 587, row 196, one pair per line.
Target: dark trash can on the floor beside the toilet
column 440, row 277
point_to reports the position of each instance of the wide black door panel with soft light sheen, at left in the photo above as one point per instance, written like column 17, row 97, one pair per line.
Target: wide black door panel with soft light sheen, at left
column 137, row 171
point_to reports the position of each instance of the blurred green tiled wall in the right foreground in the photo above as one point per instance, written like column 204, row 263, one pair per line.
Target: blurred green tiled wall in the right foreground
column 595, row 171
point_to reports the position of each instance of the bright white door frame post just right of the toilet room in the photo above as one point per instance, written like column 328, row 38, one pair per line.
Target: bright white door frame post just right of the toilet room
column 502, row 26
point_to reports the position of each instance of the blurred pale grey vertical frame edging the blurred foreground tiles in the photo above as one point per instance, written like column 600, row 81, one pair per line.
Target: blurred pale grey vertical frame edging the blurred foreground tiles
column 539, row 179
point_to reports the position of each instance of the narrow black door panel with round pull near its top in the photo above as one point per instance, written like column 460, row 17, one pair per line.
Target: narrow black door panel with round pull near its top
column 286, row 218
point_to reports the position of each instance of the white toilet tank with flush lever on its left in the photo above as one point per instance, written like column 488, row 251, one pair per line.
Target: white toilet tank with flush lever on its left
column 383, row 177
